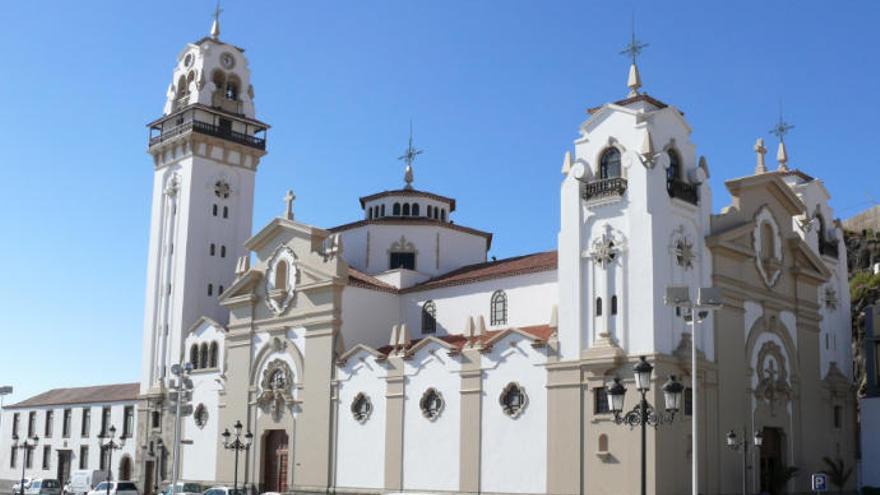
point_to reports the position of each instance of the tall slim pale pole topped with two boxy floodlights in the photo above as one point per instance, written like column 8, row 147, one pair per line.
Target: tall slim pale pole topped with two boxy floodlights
column 708, row 300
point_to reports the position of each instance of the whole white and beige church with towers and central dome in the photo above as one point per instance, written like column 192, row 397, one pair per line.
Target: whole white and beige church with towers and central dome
column 389, row 354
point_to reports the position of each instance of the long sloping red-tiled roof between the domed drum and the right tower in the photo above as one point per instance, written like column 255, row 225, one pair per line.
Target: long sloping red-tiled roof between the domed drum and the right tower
column 509, row 267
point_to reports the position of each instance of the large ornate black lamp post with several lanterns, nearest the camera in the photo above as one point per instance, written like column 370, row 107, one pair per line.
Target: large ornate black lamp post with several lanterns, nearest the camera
column 644, row 414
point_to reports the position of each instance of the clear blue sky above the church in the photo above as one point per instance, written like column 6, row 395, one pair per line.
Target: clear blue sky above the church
column 496, row 91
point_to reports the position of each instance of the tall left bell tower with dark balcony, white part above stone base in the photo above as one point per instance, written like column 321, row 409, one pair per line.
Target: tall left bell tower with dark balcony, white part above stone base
column 206, row 147
